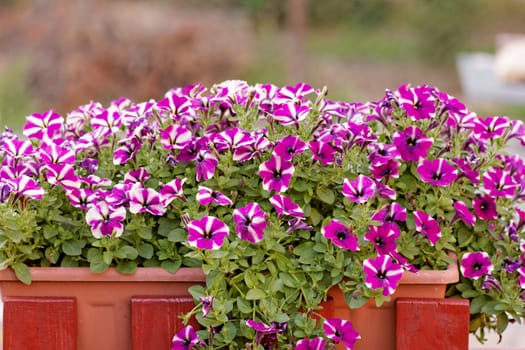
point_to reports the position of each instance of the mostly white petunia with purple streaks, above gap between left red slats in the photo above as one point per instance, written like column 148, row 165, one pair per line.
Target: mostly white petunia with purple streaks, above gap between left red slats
column 106, row 220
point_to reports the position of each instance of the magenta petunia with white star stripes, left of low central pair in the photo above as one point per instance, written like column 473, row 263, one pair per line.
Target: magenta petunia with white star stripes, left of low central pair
column 207, row 233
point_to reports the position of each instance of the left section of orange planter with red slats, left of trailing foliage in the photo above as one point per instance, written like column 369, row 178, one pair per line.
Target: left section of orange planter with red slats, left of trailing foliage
column 74, row 309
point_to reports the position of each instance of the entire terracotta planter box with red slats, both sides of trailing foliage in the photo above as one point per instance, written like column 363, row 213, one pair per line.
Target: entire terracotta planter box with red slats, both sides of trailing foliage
column 73, row 309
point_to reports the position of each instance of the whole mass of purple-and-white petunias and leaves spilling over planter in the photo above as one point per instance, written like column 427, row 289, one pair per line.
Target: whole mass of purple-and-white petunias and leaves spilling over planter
column 279, row 194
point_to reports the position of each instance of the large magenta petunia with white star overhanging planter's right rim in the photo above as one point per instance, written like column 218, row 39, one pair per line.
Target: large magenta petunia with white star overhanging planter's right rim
column 382, row 272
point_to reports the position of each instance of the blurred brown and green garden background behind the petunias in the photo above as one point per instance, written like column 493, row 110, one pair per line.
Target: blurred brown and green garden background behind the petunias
column 63, row 53
